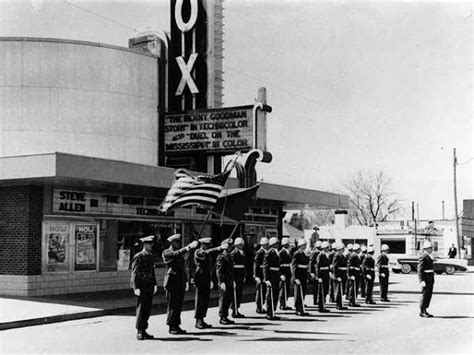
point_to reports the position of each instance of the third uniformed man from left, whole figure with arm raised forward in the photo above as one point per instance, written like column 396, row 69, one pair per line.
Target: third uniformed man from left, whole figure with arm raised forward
column 202, row 280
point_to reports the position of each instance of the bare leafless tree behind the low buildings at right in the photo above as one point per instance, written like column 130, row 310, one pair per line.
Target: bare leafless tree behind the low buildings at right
column 371, row 196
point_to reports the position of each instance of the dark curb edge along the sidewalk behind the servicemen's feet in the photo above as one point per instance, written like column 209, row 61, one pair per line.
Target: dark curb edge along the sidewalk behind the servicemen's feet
column 158, row 308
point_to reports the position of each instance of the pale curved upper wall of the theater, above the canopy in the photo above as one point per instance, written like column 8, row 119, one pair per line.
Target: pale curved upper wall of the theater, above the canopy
column 77, row 97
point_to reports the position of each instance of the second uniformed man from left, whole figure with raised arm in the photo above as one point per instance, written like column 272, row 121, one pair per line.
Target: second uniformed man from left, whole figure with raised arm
column 176, row 281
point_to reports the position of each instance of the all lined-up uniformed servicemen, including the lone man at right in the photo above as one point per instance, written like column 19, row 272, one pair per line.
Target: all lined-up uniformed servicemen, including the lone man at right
column 332, row 271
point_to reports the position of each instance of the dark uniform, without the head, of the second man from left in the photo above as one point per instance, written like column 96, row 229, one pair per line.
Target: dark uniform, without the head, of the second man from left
column 174, row 283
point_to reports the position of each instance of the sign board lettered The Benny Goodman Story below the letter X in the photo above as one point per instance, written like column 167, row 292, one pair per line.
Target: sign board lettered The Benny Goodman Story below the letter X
column 215, row 130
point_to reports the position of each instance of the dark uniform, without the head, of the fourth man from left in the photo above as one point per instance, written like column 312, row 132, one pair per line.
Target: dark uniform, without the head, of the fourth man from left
column 225, row 274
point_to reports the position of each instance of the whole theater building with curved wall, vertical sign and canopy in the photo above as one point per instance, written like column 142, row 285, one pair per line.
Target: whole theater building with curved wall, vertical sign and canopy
column 91, row 136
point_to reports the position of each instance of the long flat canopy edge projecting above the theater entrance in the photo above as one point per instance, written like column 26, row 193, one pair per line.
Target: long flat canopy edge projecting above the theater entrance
column 66, row 166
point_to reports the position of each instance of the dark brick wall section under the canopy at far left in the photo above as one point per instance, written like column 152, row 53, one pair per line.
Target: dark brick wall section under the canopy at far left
column 20, row 230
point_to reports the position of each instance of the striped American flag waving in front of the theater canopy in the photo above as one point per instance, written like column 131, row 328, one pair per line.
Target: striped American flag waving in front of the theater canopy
column 187, row 190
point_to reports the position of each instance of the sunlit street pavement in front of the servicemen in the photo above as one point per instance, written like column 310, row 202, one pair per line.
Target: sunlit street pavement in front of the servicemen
column 393, row 327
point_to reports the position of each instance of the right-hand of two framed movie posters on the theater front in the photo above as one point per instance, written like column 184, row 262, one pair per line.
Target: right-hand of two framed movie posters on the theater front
column 86, row 246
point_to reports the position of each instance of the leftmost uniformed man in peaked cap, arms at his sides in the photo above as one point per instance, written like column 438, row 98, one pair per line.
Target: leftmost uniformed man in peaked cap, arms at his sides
column 144, row 286
